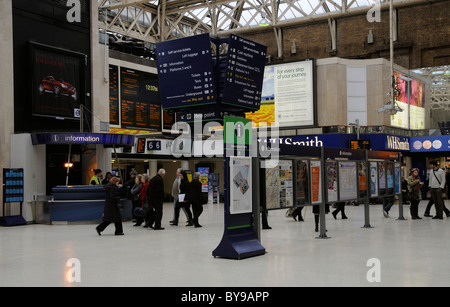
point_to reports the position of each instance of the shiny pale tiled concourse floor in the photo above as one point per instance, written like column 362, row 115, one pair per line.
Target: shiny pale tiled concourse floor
column 412, row 253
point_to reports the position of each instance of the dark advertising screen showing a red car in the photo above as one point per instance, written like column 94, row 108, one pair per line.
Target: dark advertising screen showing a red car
column 57, row 83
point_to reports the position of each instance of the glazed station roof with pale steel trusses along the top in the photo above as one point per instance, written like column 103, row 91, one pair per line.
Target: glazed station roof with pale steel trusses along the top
column 155, row 21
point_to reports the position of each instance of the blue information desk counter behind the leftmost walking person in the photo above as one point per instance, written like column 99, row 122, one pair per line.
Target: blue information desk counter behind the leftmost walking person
column 83, row 203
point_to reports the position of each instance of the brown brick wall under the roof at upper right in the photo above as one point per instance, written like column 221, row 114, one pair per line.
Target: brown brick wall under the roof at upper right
column 423, row 37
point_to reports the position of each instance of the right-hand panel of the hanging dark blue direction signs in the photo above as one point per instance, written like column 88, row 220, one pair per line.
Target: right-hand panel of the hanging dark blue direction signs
column 245, row 73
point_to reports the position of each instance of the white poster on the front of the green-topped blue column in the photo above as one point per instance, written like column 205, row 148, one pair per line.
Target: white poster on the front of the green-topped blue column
column 240, row 185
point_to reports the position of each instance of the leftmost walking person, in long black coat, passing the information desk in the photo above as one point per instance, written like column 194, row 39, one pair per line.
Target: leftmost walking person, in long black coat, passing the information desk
column 111, row 213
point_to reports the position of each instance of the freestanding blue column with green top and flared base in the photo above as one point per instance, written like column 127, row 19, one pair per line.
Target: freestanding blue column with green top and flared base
column 239, row 239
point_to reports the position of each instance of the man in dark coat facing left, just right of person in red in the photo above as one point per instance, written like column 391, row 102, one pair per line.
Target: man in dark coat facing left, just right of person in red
column 156, row 198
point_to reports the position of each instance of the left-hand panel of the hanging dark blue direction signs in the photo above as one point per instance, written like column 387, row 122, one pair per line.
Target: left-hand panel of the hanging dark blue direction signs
column 185, row 70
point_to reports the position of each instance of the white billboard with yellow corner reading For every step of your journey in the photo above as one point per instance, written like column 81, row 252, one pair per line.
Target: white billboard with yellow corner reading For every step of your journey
column 287, row 95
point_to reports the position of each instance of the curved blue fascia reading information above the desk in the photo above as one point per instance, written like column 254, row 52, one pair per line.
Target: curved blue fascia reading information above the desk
column 67, row 138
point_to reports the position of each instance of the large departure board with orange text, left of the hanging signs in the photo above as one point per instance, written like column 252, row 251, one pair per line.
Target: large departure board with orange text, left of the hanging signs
column 140, row 100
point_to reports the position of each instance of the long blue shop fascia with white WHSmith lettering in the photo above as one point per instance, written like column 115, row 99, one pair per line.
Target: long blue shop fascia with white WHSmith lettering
column 377, row 141
